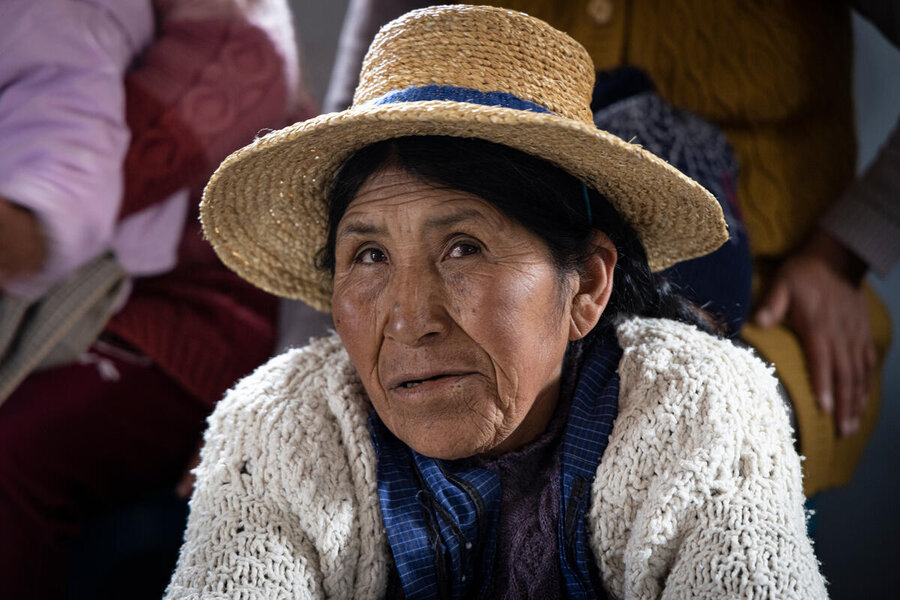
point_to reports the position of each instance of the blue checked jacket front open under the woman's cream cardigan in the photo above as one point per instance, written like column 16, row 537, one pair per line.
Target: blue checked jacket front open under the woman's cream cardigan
column 441, row 516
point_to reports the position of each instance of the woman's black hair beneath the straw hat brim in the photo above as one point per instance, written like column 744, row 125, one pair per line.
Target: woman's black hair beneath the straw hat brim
column 544, row 198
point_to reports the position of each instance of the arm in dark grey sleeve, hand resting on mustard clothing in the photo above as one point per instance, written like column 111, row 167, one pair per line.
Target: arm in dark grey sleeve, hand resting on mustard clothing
column 816, row 290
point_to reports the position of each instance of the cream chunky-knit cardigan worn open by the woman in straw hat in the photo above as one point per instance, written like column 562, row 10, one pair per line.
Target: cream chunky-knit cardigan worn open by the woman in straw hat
column 698, row 494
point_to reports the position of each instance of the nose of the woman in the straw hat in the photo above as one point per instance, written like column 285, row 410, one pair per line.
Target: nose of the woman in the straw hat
column 416, row 307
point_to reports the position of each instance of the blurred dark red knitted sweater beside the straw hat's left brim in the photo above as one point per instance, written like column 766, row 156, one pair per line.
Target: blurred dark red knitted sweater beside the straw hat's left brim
column 206, row 87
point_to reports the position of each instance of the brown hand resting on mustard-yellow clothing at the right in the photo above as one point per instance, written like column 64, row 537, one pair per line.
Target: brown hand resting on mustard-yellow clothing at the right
column 817, row 293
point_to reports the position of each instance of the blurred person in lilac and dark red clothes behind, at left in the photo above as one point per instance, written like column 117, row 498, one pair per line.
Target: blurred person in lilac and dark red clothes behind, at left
column 112, row 114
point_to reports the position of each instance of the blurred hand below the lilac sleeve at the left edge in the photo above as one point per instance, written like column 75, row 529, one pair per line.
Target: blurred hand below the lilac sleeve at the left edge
column 23, row 248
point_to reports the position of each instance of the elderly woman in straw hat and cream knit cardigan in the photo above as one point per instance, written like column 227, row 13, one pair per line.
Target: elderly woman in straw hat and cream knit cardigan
column 514, row 404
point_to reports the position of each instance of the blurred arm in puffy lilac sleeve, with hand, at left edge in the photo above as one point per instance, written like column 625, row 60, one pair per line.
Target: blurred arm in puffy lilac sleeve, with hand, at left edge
column 62, row 132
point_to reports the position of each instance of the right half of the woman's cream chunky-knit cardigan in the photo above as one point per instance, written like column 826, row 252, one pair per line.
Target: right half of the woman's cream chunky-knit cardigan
column 699, row 493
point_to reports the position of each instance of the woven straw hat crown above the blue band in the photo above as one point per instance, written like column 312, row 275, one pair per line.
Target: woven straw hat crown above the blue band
column 480, row 48
